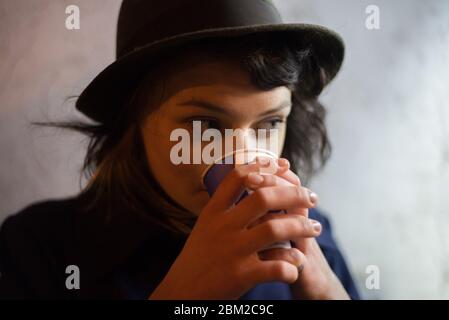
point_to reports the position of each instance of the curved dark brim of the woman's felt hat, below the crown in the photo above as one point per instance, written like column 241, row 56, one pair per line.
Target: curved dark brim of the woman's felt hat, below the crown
column 102, row 98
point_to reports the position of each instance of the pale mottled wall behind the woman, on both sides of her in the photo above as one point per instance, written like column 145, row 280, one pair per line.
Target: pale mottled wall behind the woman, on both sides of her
column 386, row 186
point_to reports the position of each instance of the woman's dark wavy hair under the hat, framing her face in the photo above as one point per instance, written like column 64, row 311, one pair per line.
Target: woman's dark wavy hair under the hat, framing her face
column 116, row 164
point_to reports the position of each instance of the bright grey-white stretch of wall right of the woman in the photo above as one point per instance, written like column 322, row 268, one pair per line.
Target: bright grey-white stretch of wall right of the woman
column 386, row 187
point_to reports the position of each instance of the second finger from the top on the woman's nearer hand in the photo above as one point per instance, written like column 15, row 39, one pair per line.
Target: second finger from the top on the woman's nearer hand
column 266, row 199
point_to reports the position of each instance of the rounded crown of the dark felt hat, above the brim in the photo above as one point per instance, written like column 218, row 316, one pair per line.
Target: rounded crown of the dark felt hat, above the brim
column 142, row 22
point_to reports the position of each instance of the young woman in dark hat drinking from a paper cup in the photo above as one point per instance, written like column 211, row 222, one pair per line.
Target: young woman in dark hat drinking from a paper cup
column 145, row 227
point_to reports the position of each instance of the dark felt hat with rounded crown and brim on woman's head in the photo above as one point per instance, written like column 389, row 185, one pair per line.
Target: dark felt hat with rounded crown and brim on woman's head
column 149, row 28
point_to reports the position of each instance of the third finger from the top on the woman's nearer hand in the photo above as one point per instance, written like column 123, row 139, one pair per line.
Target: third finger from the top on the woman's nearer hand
column 281, row 228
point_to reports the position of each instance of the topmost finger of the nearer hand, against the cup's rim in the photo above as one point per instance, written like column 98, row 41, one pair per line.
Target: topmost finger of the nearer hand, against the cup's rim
column 231, row 187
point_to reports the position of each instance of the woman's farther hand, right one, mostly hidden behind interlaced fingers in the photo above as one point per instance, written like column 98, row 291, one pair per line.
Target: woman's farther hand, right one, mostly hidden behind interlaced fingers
column 316, row 280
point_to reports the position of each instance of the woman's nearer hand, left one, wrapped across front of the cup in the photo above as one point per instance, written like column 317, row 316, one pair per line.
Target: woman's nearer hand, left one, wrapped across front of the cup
column 220, row 257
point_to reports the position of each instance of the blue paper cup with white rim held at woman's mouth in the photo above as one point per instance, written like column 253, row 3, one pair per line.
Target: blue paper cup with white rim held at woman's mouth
column 216, row 172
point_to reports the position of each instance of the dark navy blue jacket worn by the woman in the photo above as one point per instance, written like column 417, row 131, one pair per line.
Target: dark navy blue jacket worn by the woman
column 123, row 257
